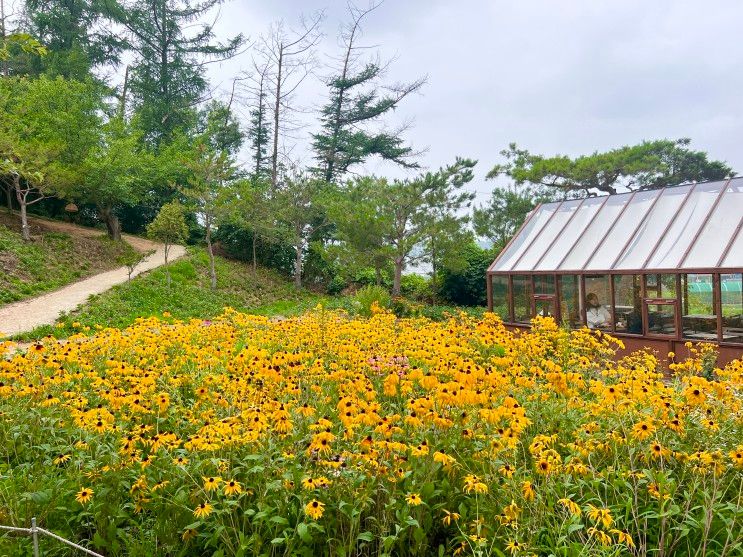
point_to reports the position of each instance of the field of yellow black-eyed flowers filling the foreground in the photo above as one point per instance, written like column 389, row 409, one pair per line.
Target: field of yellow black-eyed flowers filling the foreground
column 326, row 434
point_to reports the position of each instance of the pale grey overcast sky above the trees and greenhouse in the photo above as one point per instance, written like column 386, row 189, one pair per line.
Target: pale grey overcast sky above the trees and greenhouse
column 557, row 77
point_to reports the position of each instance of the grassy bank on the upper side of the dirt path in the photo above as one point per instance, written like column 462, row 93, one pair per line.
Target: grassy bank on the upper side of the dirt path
column 53, row 260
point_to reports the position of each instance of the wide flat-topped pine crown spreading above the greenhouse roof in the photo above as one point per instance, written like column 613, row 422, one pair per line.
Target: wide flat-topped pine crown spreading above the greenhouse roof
column 648, row 165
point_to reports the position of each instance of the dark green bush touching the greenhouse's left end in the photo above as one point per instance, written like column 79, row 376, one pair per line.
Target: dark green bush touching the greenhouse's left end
column 466, row 287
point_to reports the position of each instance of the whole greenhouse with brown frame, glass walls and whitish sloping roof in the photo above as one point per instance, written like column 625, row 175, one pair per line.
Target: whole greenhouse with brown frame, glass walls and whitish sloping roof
column 656, row 267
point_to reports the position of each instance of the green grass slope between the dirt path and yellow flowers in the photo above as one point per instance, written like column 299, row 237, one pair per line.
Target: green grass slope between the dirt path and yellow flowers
column 189, row 296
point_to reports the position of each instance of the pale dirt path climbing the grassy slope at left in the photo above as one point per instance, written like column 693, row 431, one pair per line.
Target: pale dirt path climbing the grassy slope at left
column 26, row 315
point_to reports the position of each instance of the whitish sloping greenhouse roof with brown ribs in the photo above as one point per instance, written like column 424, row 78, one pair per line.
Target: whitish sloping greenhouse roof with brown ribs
column 688, row 226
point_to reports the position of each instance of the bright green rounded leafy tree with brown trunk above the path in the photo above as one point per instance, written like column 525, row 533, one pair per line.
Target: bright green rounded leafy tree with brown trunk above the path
column 115, row 173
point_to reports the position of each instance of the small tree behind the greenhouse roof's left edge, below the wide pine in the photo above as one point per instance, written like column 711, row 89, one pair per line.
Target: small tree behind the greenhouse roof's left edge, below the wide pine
column 506, row 211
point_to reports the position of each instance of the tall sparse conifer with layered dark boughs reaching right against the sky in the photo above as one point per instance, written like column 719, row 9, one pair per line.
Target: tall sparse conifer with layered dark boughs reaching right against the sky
column 357, row 100
